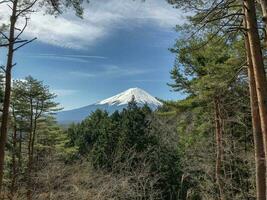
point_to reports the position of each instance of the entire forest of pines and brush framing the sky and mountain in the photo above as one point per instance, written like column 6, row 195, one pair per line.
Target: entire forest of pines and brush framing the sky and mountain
column 210, row 145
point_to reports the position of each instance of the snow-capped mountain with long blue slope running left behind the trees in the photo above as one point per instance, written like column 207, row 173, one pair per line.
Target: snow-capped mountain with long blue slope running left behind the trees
column 117, row 102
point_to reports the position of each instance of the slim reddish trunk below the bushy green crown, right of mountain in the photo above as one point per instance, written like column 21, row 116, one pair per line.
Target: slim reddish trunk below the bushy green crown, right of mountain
column 219, row 145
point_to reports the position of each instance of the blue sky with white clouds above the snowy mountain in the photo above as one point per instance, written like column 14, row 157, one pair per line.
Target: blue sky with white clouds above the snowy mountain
column 118, row 45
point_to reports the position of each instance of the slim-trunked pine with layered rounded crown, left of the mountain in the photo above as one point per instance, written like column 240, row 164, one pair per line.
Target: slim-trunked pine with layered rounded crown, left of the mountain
column 33, row 101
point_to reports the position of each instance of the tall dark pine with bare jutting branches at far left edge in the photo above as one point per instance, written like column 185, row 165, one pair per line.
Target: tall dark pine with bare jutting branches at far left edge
column 22, row 9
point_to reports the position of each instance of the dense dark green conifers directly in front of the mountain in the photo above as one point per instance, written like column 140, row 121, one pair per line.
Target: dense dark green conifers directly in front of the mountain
column 103, row 136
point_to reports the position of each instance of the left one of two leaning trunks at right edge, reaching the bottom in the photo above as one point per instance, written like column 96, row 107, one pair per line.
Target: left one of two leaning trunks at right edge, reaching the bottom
column 257, row 132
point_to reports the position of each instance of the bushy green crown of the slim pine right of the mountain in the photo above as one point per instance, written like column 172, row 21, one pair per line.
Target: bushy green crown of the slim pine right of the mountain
column 202, row 72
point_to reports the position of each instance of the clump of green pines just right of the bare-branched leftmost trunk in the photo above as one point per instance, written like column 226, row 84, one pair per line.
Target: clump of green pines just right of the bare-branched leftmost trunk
column 34, row 135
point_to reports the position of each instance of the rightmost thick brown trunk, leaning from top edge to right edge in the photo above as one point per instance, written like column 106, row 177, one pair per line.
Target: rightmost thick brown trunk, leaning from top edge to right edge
column 258, row 65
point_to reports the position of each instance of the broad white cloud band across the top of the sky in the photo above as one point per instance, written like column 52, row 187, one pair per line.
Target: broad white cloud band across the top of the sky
column 101, row 17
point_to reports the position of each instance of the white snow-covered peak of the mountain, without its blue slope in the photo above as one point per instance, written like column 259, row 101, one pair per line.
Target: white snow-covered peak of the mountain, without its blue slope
column 140, row 96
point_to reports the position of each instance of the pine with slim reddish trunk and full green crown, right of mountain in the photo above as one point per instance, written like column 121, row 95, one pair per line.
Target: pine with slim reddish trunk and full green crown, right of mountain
column 206, row 77
